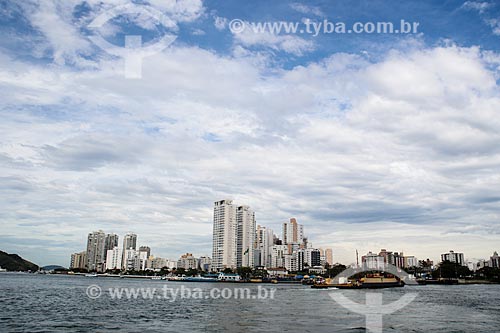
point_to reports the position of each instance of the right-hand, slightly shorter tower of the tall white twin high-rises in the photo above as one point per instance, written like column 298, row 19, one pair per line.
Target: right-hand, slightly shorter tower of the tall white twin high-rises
column 245, row 243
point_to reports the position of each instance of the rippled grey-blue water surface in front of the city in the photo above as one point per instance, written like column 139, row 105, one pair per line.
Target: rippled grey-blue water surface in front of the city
column 50, row 303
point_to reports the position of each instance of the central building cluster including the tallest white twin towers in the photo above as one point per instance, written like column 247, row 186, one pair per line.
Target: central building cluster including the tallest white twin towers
column 239, row 242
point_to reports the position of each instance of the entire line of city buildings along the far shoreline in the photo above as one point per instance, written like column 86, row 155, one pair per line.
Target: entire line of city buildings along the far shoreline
column 239, row 242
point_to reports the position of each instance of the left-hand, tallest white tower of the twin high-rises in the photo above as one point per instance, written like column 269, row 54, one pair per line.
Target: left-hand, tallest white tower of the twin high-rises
column 224, row 247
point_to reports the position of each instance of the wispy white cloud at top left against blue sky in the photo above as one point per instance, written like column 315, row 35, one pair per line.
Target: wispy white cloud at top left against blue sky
column 63, row 31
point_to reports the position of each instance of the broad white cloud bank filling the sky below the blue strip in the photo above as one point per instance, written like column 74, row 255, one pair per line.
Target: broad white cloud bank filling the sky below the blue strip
column 351, row 148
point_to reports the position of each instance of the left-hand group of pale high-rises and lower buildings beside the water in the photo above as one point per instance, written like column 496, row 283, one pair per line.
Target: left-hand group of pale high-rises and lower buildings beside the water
column 103, row 253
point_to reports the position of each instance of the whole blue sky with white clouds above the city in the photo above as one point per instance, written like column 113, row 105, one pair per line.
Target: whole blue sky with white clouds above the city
column 370, row 140
